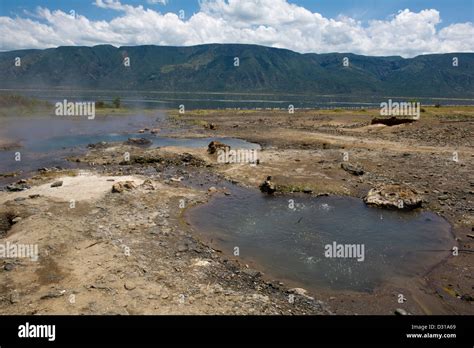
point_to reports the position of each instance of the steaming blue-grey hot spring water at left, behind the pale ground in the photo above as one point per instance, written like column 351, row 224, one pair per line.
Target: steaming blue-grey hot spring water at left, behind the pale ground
column 47, row 140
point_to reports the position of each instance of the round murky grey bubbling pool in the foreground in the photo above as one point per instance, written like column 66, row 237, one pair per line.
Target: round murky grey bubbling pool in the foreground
column 291, row 242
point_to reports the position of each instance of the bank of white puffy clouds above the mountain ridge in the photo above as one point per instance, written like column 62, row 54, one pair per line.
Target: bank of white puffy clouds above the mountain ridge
column 275, row 23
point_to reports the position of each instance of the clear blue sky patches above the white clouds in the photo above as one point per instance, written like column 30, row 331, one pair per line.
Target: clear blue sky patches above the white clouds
column 452, row 11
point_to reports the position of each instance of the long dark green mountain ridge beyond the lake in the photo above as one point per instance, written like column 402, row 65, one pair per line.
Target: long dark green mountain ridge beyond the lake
column 210, row 68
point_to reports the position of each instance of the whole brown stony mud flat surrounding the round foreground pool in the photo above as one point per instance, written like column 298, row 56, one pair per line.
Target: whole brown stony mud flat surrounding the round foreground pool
column 133, row 252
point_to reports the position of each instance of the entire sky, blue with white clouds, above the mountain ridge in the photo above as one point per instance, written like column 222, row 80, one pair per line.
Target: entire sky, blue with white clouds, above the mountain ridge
column 371, row 27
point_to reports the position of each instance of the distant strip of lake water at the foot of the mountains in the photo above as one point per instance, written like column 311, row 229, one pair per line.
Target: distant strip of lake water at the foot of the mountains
column 203, row 100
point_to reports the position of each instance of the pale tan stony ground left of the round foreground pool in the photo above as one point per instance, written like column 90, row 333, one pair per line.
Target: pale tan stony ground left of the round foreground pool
column 119, row 245
